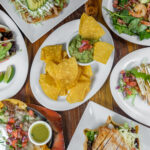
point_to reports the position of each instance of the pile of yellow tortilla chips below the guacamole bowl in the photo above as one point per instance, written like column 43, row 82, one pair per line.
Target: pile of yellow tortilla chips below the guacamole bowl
column 63, row 76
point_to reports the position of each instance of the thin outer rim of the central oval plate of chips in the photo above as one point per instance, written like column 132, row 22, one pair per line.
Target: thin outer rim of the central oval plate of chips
column 76, row 104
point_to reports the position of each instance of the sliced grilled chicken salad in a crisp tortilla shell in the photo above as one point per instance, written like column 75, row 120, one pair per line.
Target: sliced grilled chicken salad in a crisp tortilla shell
column 112, row 136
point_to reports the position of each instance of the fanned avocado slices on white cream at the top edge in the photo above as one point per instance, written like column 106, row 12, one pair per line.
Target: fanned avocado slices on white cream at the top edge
column 33, row 5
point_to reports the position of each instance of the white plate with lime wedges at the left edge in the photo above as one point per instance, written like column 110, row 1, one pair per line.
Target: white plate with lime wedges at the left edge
column 20, row 61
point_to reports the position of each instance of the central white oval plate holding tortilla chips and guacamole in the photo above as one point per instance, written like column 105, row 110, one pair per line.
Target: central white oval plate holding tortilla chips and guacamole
column 60, row 36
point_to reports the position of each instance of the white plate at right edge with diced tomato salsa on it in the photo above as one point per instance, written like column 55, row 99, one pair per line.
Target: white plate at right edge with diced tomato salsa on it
column 140, row 111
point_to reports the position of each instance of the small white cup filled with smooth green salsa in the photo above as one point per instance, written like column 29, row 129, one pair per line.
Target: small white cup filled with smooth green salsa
column 40, row 133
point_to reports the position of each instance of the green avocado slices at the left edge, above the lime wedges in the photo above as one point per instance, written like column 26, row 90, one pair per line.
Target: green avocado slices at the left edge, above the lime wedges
column 4, row 49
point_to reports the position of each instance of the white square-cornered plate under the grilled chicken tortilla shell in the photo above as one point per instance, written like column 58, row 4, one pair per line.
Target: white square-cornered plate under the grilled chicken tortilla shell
column 95, row 116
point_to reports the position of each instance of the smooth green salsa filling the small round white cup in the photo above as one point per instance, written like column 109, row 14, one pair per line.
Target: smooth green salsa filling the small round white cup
column 39, row 133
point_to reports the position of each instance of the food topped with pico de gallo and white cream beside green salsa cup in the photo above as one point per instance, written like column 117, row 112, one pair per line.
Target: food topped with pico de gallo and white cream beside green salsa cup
column 15, row 120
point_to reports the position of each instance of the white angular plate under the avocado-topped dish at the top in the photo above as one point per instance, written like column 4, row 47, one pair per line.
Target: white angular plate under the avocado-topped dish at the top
column 34, row 31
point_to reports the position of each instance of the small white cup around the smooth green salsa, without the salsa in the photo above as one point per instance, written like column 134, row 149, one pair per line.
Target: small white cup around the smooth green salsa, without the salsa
column 48, row 127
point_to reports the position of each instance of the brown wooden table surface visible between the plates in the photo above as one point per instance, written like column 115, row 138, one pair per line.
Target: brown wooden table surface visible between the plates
column 103, row 97
